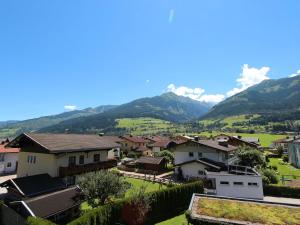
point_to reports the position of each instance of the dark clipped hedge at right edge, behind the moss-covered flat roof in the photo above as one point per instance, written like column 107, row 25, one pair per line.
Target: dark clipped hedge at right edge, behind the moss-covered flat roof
column 282, row 191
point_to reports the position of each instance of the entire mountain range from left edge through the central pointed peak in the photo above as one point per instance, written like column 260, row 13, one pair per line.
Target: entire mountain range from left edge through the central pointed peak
column 168, row 106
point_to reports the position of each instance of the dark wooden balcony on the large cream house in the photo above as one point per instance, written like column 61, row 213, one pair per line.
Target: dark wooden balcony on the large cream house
column 79, row 169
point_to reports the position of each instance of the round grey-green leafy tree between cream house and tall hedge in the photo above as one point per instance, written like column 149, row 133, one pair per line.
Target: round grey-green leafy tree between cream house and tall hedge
column 98, row 187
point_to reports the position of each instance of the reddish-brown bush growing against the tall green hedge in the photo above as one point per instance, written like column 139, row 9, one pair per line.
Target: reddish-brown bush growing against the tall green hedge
column 134, row 212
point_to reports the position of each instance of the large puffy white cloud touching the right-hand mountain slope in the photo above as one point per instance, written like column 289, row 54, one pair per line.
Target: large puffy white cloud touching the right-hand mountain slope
column 249, row 77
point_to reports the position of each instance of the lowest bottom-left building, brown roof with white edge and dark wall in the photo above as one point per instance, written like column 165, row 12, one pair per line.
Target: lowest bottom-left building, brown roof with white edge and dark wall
column 59, row 206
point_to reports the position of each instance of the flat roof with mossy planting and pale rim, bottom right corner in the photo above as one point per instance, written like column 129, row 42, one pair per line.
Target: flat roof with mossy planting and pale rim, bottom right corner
column 221, row 210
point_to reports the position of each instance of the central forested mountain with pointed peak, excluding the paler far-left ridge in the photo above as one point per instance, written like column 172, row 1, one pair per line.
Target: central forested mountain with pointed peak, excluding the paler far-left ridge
column 168, row 107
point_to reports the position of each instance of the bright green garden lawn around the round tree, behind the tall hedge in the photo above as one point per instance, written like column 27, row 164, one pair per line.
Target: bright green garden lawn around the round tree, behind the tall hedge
column 136, row 183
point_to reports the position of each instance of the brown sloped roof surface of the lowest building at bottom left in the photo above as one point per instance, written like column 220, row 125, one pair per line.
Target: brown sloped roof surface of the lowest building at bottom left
column 47, row 205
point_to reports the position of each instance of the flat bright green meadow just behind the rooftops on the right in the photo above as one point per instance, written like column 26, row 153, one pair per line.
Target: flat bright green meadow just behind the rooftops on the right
column 265, row 139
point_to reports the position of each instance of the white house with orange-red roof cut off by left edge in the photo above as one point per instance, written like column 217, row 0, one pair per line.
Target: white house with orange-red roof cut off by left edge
column 8, row 159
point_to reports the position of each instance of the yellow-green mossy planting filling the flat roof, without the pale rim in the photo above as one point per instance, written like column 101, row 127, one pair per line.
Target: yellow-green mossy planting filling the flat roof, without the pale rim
column 252, row 212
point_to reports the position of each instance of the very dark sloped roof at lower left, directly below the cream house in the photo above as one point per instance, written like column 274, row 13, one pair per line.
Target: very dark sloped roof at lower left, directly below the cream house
column 35, row 185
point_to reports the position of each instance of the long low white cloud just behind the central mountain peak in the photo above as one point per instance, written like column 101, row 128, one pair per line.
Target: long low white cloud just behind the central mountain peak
column 195, row 93
